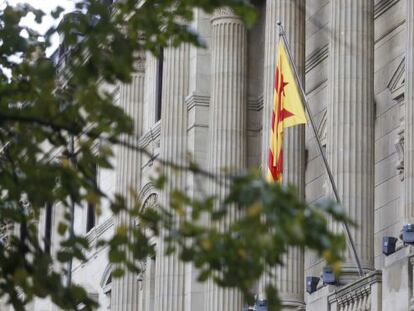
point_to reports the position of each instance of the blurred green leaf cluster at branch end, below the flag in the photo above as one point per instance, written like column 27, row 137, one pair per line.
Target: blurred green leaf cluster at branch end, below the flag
column 270, row 220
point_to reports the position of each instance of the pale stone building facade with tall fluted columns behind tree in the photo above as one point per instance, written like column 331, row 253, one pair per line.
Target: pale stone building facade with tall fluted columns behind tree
column 356, row 58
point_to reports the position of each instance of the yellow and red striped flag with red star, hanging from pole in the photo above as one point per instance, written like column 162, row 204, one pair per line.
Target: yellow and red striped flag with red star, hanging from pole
column 287, row 111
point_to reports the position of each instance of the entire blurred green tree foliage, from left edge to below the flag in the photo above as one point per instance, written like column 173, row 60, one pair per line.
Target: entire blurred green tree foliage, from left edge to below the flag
column 44, row 105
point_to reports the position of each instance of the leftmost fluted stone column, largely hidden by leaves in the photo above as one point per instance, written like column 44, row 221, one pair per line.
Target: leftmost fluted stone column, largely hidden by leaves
column 125, row 290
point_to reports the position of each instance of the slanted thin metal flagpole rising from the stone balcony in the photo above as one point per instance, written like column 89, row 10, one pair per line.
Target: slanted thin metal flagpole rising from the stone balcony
column 282, row 33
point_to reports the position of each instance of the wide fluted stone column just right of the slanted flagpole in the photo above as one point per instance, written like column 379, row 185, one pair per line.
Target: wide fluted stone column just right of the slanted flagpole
column 350, row 115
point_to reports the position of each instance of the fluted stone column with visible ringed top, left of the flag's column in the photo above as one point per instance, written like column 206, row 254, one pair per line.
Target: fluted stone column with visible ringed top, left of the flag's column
column 227, row 122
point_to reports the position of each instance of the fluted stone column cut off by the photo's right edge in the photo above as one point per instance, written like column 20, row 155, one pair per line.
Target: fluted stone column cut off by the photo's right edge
column 409, row 117
